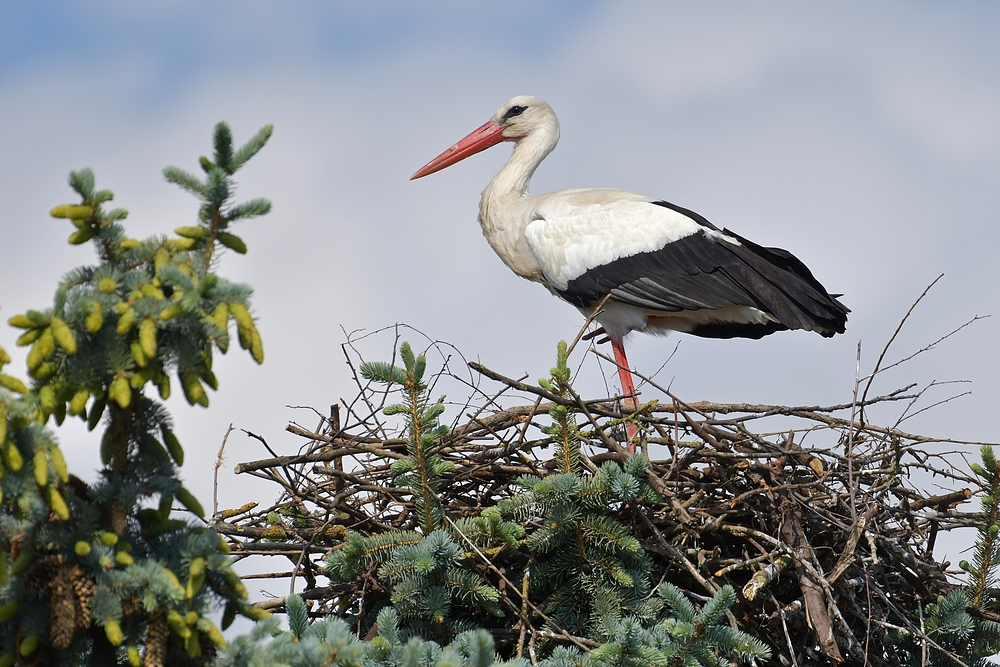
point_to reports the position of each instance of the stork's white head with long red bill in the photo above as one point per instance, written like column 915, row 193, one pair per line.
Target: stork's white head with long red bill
column 523, row 116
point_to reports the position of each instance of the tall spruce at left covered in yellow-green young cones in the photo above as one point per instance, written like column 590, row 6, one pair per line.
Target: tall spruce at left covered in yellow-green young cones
column 105, row 573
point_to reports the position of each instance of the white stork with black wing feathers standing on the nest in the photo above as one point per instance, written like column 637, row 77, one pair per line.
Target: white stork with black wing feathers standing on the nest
column 662, row 267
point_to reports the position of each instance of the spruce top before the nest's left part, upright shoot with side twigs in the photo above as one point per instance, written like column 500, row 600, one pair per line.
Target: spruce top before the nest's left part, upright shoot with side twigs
column 433, row 589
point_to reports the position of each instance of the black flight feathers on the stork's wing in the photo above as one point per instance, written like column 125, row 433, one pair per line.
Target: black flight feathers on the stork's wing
column 704, row 272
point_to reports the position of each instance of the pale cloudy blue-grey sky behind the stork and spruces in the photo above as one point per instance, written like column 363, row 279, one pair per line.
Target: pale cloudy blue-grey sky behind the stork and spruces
column 864, row 137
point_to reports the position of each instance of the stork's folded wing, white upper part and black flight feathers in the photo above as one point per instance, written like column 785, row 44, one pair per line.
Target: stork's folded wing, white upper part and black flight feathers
column 674, row 261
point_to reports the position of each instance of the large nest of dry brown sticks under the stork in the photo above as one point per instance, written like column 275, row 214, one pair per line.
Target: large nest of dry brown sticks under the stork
column 819, row 519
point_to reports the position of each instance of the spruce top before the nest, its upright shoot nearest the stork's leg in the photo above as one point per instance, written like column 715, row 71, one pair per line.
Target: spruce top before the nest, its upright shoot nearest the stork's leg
column 586, row 562
